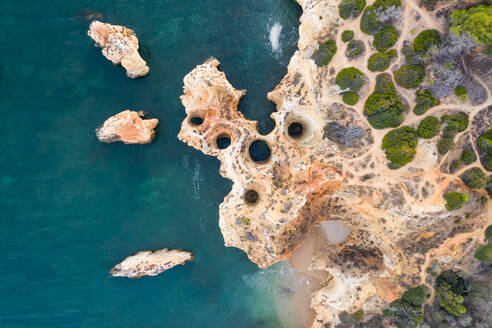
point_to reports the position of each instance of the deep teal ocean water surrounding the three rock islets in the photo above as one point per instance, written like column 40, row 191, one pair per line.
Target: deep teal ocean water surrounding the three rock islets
column 71, row 207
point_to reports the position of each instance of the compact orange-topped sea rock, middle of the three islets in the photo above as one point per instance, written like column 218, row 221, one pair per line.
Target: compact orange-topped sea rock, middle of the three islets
column 127, row 127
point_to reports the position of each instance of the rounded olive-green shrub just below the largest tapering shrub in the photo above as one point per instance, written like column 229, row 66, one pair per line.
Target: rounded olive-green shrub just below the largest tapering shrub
column 399, row 146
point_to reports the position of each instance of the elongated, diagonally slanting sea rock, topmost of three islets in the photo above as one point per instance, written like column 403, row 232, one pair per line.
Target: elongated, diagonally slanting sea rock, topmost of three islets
column 120, row 45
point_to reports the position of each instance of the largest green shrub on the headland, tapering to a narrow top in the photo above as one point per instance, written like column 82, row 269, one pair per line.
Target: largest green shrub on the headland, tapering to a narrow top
column 383, row 107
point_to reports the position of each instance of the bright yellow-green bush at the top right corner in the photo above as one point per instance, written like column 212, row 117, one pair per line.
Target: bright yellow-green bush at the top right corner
column 474, row 21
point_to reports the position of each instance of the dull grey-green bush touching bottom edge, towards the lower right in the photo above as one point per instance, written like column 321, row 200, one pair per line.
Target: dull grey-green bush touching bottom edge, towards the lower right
column 406, row 312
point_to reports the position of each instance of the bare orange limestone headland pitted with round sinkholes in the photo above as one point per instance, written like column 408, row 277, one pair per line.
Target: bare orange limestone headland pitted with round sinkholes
column 324, row 162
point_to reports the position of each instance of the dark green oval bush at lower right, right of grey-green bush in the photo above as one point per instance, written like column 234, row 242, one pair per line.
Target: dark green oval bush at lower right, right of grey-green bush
column 450, row 291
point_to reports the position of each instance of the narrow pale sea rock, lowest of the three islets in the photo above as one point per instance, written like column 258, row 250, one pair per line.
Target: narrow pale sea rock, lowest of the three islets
column 148, row 263
